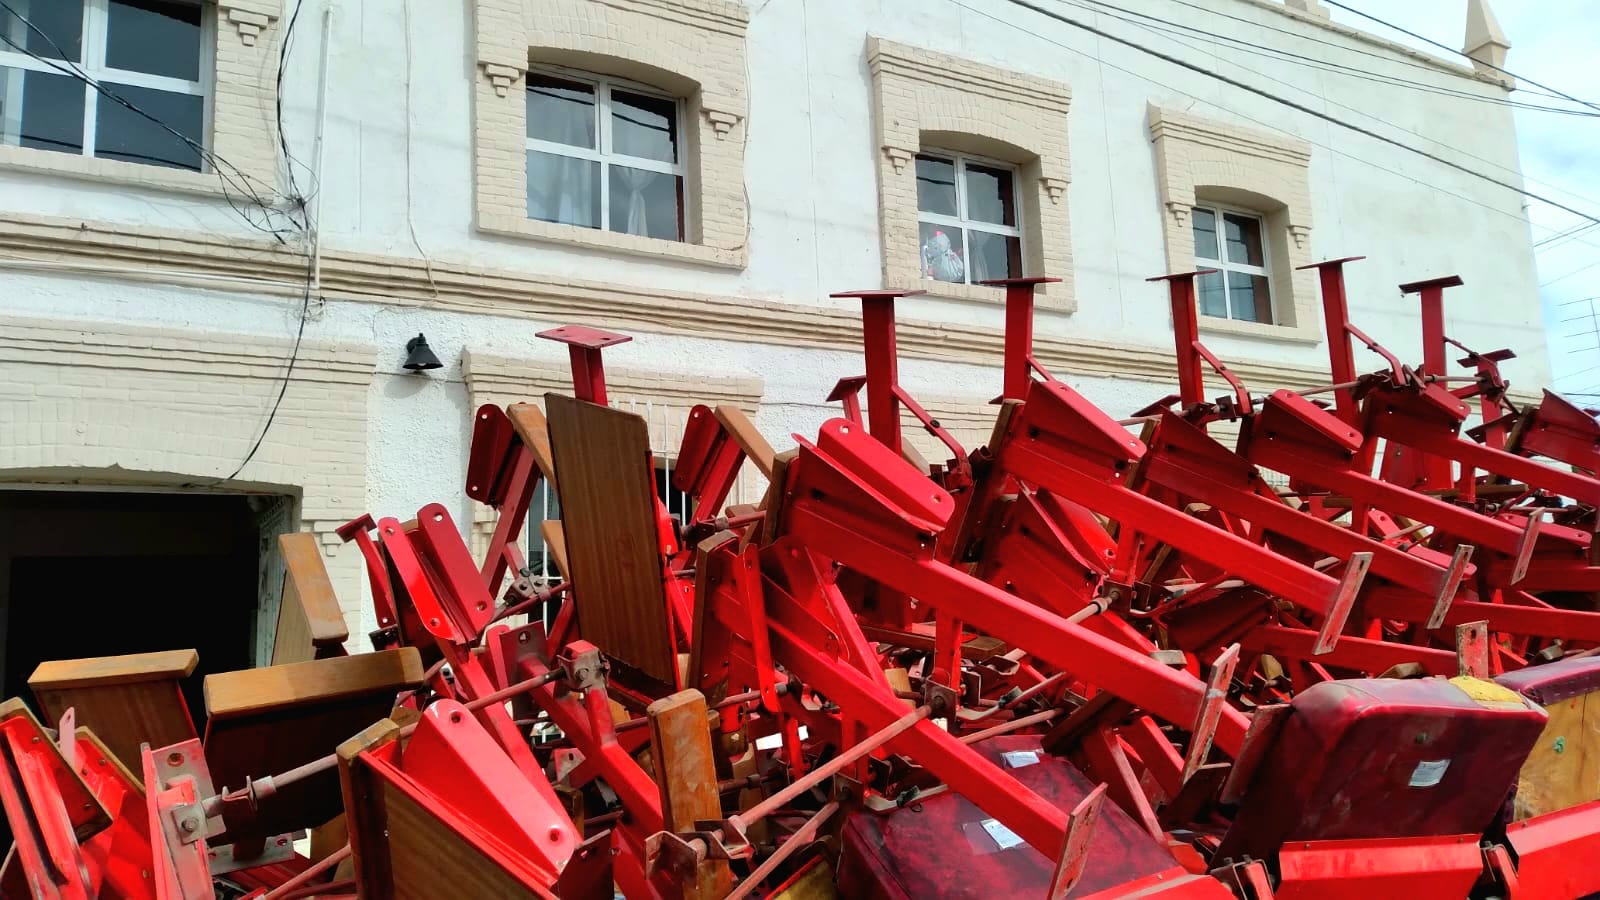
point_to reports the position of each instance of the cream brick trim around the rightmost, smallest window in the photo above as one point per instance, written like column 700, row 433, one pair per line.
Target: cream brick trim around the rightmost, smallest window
column 1207, row 161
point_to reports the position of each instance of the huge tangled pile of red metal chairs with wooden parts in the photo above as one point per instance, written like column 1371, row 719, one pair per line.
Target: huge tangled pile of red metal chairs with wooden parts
column 1348, row 654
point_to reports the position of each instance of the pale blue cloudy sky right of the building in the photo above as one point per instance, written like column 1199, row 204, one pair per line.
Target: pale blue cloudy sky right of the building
column 1554, row 42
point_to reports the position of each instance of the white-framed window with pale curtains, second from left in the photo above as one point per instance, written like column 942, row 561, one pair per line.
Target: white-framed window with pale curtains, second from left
column 606, row 155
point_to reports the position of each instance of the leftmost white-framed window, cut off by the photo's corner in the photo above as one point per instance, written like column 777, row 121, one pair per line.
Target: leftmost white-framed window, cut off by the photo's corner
column 151, row 54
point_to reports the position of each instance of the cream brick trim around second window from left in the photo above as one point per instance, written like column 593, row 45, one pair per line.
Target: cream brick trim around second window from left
column 692, row 49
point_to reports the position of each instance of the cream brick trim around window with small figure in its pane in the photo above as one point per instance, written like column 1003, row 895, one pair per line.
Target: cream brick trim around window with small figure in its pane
column 927, row 102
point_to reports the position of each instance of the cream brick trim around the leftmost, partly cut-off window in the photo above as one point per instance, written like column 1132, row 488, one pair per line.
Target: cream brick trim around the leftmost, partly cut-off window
column 244, row 116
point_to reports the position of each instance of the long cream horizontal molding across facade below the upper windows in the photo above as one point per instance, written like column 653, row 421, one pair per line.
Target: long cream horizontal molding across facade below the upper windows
column 175, row 257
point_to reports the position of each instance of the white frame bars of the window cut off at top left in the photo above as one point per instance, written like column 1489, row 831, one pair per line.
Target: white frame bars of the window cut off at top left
column 94, row 41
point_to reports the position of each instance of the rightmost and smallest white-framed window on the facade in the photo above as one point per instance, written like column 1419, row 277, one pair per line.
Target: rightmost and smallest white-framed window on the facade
column 1239, row 286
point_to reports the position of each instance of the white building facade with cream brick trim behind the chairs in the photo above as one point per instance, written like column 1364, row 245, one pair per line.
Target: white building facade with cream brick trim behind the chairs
column 702, row 175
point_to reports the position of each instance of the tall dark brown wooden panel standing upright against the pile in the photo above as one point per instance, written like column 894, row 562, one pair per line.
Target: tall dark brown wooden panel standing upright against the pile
column 609, row 516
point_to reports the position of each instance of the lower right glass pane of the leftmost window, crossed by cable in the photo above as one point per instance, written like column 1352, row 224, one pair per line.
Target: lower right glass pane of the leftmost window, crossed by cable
column 126, row 135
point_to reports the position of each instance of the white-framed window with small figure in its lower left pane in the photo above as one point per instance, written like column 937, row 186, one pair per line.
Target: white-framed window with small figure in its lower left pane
column 967, row 220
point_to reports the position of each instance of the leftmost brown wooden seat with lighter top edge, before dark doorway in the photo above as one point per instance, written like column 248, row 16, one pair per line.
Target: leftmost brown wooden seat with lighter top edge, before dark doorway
column 126, row 701
